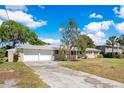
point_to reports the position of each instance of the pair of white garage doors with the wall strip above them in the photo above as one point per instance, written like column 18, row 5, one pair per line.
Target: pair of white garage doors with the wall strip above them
column 38, row 55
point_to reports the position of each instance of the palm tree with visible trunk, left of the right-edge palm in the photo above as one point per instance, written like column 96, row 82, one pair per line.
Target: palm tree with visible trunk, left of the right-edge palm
column 112, row 41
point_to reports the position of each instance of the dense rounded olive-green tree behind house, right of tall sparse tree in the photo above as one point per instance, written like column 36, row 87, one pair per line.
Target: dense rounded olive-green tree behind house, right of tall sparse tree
column 86, row 42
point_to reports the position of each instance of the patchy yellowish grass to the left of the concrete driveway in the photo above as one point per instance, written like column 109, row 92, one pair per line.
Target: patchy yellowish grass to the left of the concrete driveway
column 26, row 77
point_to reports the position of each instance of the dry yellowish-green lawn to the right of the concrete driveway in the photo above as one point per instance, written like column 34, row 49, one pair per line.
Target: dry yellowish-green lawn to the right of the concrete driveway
column 104, row 67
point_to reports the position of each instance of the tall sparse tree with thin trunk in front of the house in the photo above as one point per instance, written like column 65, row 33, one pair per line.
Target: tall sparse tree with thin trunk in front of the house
column 70, row 35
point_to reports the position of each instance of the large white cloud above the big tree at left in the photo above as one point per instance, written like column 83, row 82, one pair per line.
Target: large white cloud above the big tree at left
column 22, row 17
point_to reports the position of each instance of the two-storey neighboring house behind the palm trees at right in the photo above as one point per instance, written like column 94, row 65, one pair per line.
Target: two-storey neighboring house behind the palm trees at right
column 108, row 49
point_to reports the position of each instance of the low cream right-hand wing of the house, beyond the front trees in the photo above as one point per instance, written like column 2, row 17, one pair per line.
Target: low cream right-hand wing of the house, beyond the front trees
column 92, row 52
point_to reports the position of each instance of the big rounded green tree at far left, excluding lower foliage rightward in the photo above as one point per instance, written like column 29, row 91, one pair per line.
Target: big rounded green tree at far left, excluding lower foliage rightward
column 14, row 32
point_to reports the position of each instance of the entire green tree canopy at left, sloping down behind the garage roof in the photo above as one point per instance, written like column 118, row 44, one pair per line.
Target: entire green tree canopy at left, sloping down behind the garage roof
column 13, row 32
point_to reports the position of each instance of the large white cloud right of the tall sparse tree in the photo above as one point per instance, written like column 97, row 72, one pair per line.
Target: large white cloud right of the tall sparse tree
column 95, row 30
